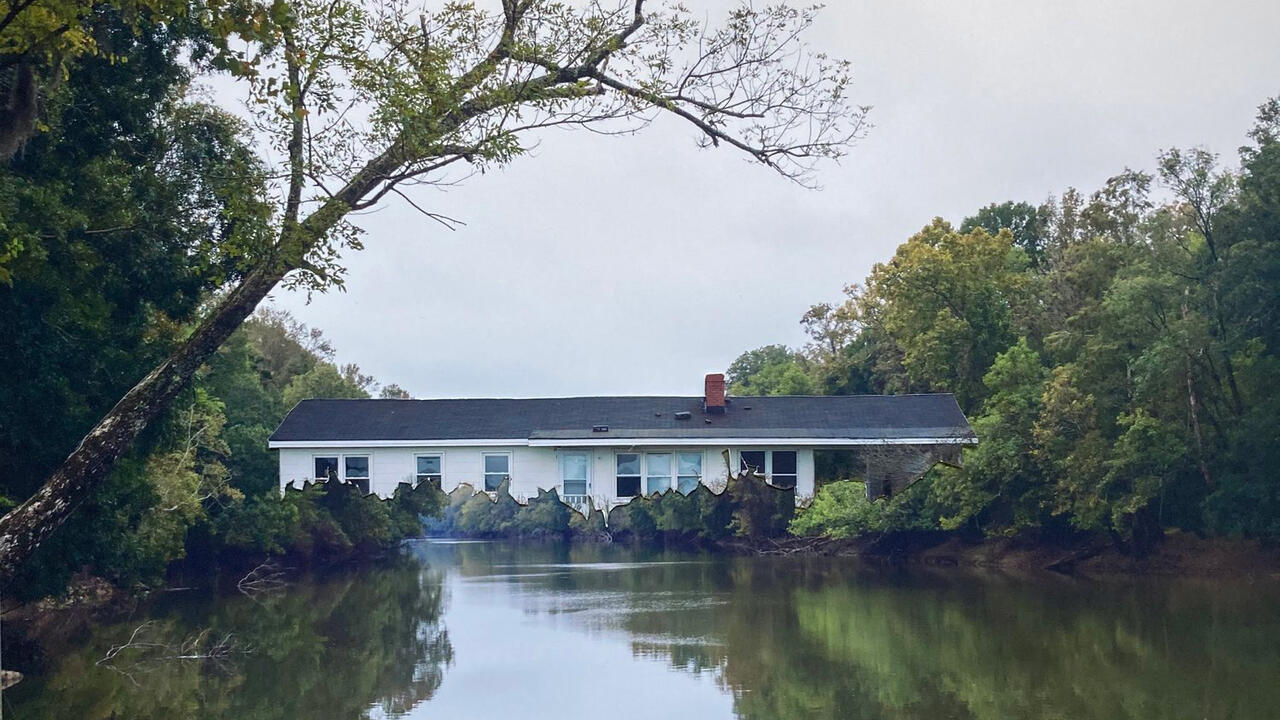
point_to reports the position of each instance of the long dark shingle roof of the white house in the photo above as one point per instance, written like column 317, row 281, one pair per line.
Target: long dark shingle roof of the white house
column 856, row 417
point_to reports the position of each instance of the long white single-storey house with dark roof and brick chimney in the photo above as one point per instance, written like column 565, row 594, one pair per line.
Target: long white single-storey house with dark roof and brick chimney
column 614, row 449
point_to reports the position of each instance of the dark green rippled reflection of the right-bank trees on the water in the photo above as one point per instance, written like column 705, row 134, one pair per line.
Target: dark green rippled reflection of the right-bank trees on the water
column 825, row 640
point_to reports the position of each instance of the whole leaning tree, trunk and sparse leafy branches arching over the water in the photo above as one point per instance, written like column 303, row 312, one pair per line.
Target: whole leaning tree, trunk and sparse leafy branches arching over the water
column 367, row 101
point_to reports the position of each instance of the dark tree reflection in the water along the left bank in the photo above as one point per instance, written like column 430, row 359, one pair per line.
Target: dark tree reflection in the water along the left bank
column 351, row 645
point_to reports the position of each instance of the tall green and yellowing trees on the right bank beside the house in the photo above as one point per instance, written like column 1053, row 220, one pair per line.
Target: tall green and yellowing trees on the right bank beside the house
column 1118, row 353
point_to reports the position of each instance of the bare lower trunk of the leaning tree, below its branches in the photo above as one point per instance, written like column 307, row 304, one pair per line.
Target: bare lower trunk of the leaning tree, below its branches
column 28, row 526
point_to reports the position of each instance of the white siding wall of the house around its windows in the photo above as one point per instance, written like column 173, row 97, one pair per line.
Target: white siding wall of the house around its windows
column 533, row 470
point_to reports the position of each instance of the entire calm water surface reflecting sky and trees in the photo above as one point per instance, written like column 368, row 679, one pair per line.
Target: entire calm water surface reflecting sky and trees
column 481, row 631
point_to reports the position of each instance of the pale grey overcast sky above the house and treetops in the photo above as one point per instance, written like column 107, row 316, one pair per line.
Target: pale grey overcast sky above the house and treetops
column 634, row 266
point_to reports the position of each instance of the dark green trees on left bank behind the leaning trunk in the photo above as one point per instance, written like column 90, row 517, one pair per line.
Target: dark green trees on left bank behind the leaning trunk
column 115, row 207
